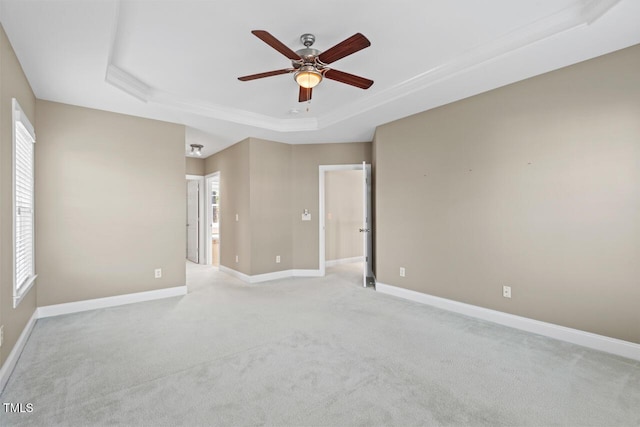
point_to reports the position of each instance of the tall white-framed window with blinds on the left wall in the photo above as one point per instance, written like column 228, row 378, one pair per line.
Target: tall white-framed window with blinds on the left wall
column 23, row 204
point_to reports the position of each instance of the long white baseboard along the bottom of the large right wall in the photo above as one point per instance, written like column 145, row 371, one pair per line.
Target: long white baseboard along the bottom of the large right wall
column 575, row 336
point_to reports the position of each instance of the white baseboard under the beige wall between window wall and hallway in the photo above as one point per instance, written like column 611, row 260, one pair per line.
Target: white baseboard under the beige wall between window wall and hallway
column 92, row 304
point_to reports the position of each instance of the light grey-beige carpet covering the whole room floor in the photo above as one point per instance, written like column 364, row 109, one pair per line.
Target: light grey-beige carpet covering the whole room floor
column 316, row 351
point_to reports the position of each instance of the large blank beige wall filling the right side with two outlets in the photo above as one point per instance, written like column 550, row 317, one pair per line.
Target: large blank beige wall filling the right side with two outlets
column 534, row 185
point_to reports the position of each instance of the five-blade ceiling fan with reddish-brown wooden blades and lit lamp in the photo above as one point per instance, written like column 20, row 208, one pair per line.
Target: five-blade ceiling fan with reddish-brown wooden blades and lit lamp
column 310, row 65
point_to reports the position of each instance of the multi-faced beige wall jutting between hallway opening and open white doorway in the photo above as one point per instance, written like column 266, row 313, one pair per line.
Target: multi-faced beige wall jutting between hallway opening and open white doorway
column 274, row 183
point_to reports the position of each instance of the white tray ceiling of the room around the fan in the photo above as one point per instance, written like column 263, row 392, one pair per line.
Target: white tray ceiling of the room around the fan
column 179, row 60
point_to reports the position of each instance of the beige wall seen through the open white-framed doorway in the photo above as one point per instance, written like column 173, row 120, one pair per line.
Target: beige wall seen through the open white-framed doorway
column 343, row 208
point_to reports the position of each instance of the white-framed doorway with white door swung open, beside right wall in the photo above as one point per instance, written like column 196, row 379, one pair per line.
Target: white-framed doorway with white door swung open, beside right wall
column 345, row 217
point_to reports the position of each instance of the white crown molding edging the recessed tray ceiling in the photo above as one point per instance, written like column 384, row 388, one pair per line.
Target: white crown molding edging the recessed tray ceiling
column 574, row 16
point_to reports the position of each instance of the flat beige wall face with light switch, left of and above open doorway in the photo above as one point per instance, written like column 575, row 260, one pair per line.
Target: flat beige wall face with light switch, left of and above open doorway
column 305, row 193
